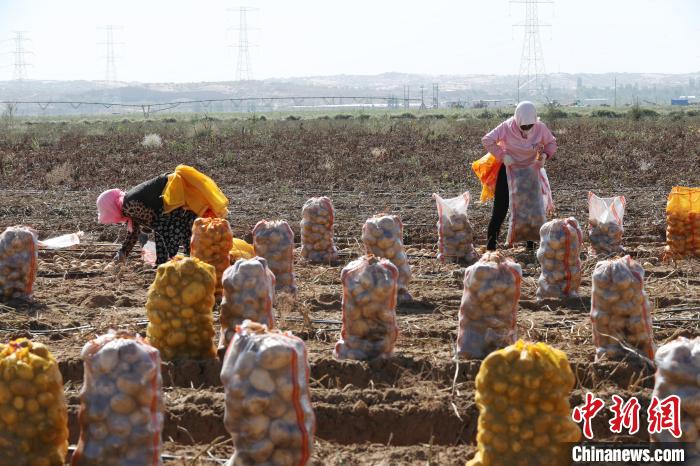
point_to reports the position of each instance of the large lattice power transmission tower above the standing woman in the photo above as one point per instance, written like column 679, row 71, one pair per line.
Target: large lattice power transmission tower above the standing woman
column 532, row 79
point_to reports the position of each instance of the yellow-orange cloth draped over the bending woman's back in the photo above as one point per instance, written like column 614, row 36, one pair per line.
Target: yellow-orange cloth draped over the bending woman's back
column 194, row 191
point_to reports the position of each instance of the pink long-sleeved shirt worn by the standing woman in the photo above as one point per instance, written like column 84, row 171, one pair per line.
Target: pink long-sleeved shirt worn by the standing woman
column 506, row 139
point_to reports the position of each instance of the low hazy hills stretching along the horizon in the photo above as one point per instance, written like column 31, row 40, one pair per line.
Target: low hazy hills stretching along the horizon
column 453, row 89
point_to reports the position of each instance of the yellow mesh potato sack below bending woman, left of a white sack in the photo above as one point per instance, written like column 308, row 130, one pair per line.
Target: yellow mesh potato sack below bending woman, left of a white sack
column 179, row 309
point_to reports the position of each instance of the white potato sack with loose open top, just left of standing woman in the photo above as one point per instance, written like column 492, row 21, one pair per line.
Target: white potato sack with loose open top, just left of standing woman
column 455, row 232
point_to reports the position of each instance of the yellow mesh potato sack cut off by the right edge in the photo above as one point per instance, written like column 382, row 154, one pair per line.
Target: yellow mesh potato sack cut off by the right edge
column 683, row 223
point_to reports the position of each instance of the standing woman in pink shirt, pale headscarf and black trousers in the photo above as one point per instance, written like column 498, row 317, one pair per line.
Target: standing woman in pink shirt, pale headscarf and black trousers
column 516, row 142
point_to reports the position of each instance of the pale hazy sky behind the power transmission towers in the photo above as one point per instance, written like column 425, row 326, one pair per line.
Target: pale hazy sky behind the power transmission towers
column 178, row 41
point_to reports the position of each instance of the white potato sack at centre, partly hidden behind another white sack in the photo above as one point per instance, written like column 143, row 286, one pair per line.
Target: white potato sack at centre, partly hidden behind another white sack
column 382, row 236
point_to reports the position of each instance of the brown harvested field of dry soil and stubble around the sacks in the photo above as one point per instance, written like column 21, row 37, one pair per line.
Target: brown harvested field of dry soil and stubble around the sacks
column 406, row 410
